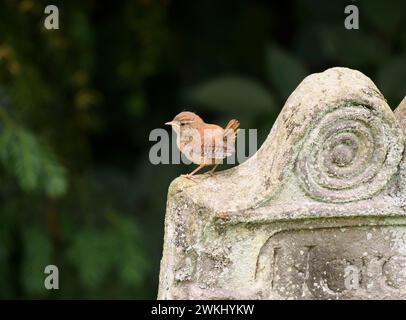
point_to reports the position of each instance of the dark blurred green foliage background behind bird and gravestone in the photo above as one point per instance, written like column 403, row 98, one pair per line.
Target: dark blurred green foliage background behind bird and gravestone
column 77, row 105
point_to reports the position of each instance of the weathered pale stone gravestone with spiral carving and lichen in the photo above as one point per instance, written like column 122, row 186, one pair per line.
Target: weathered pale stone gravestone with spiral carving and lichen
column 319, row 212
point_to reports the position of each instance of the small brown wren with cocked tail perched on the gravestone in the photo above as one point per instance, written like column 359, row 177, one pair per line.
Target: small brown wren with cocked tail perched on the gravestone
column 203, row 143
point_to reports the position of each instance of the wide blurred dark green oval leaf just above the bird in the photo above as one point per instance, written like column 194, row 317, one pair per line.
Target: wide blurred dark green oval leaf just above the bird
column 233, row 93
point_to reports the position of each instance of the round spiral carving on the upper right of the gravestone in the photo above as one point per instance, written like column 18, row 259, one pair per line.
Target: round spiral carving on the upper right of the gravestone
column 350, row 154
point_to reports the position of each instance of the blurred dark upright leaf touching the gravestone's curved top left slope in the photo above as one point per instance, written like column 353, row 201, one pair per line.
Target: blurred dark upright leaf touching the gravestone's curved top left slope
column 284, row 70
